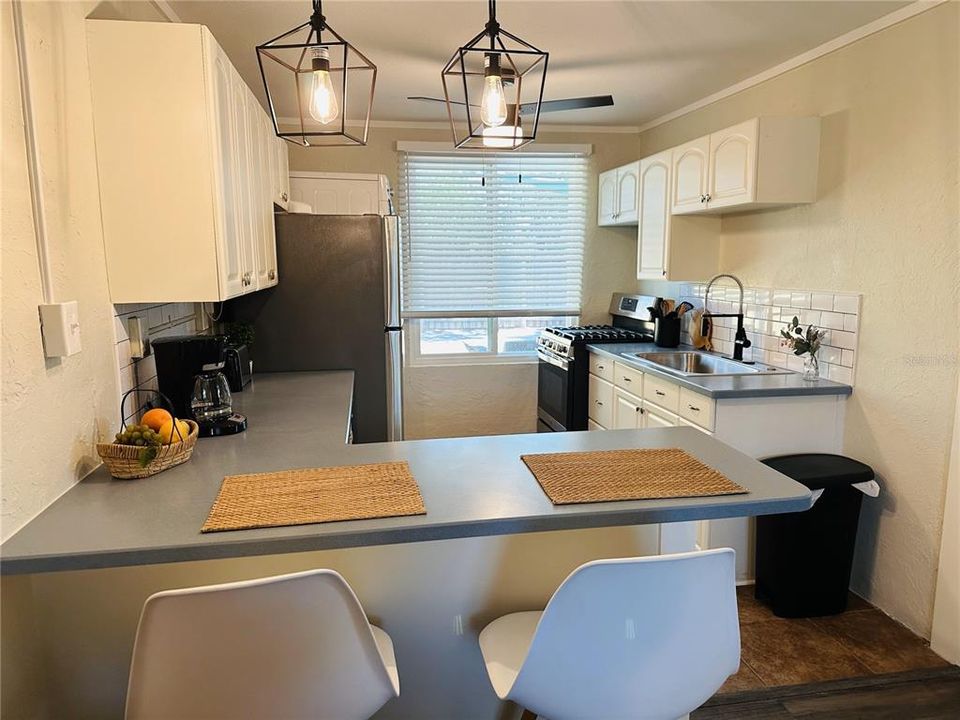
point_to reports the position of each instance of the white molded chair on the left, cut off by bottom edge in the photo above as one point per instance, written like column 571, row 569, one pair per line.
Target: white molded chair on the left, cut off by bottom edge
column 292, row 646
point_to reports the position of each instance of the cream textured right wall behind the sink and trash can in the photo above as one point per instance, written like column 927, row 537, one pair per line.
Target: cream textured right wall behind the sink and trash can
column 884, row 225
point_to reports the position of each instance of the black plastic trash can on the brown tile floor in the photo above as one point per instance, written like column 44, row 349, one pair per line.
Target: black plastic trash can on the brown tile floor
column 804, row 558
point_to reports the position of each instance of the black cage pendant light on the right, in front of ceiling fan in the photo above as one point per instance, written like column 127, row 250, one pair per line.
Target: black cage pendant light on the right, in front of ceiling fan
column 489, row 84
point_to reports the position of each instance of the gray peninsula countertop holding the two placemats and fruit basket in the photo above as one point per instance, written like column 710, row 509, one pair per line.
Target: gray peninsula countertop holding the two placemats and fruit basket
column 470, row 486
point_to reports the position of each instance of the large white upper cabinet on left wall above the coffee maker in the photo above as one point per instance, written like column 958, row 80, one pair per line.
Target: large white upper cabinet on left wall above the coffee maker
column 183, row 158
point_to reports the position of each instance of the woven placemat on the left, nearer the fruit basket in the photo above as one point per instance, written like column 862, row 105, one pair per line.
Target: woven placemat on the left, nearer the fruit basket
column 315, row 495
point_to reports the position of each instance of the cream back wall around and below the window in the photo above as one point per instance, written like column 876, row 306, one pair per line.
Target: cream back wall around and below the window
column 450, row 401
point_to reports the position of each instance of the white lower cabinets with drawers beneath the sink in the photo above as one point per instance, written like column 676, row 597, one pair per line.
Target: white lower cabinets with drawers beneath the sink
column 760, row 427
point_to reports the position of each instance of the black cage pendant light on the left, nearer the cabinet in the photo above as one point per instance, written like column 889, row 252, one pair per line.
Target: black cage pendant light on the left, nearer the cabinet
column 319, row 87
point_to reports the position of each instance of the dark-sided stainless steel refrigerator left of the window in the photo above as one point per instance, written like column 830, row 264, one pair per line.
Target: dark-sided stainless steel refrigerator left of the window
column 336, row 306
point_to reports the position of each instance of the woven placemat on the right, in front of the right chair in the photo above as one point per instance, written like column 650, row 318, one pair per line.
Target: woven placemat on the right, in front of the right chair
column 609, row 475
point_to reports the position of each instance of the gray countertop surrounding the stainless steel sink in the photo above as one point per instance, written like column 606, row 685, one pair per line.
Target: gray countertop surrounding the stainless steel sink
column 724, row 386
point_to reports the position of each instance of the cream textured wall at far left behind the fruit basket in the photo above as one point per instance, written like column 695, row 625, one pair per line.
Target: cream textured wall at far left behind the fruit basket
column 54, row 411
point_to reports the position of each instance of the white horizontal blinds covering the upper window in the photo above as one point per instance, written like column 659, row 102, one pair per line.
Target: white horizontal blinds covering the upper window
column 492, row 234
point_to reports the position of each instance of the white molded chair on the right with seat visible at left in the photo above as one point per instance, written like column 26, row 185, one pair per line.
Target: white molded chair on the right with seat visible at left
column 648, row 638
